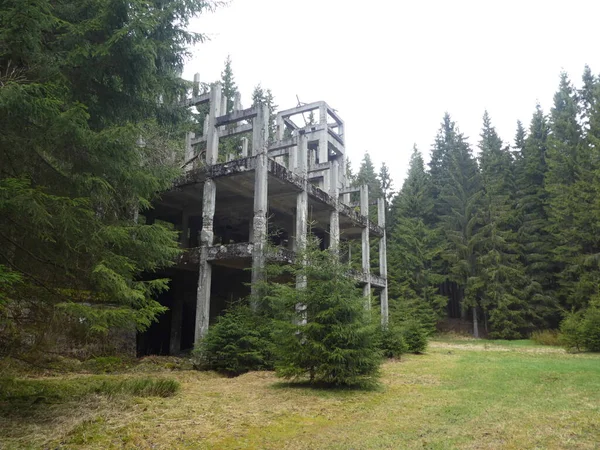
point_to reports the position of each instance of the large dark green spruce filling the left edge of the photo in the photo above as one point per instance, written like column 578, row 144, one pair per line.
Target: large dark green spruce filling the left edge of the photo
column 91, row 132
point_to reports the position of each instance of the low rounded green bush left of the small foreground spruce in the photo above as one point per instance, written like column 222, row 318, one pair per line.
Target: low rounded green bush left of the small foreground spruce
column 238, row 343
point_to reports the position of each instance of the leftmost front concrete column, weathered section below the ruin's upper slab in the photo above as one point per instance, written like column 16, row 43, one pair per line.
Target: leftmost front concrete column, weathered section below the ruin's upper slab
column 205, row 272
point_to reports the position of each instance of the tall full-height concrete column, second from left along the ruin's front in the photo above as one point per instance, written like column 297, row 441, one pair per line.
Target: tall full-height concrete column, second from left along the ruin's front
column 259, row 225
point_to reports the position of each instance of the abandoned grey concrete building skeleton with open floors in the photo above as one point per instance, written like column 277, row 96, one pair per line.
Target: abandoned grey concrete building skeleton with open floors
column 227, row 205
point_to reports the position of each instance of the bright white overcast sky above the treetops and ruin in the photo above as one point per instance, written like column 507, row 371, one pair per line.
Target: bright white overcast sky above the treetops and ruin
column 392, row 68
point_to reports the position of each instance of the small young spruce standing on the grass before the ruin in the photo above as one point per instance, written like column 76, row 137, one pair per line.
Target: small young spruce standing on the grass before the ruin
column 323, row 333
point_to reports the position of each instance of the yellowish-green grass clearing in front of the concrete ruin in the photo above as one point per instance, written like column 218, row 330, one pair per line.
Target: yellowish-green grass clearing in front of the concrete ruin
column 460, row 394
